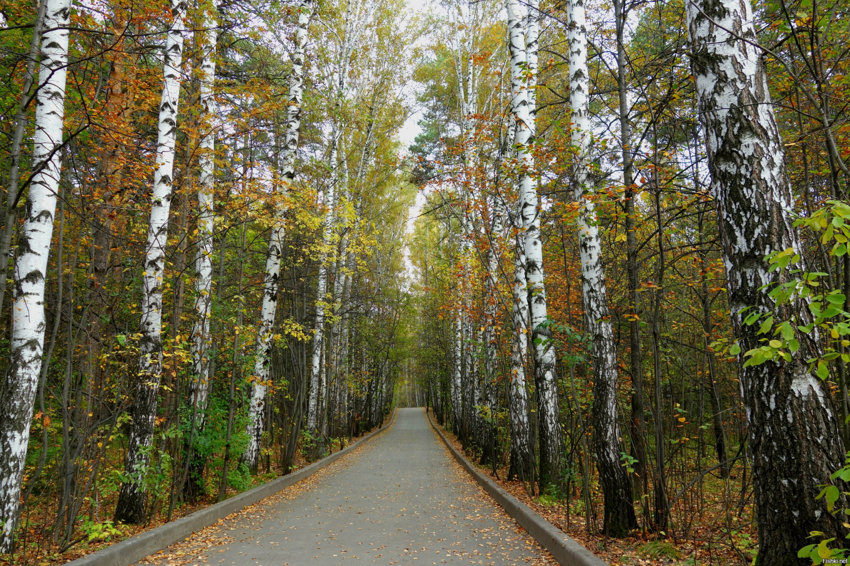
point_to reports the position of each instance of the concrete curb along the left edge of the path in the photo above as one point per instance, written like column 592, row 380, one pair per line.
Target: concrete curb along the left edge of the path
column 137, row 547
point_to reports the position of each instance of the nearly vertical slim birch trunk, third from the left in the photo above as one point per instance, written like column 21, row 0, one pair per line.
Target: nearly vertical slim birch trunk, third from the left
column 201, row 339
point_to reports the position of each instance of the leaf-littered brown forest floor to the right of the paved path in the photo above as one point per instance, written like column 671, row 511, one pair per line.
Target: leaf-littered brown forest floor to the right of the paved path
column 710, row 534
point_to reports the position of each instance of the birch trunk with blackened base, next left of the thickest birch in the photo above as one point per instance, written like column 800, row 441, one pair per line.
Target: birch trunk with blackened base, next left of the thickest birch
column 616, row 486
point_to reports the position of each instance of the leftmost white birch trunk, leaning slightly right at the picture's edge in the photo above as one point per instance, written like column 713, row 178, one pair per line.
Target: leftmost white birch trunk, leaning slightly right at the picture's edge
column 17, row 394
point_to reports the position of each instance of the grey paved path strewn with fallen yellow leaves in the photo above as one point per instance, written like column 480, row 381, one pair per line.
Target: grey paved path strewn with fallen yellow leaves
column 400, row 499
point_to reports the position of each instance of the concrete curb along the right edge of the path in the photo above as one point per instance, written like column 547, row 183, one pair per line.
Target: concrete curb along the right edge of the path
column 565, row 550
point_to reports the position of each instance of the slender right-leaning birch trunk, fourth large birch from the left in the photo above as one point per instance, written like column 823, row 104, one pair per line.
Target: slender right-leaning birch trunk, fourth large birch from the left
column 271, row 278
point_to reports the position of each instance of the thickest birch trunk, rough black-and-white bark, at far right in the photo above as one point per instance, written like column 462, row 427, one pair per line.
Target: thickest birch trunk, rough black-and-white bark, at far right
column 794, row 435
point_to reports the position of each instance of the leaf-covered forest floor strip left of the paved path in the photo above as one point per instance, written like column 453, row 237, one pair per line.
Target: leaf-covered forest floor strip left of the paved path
column 36, row 546
